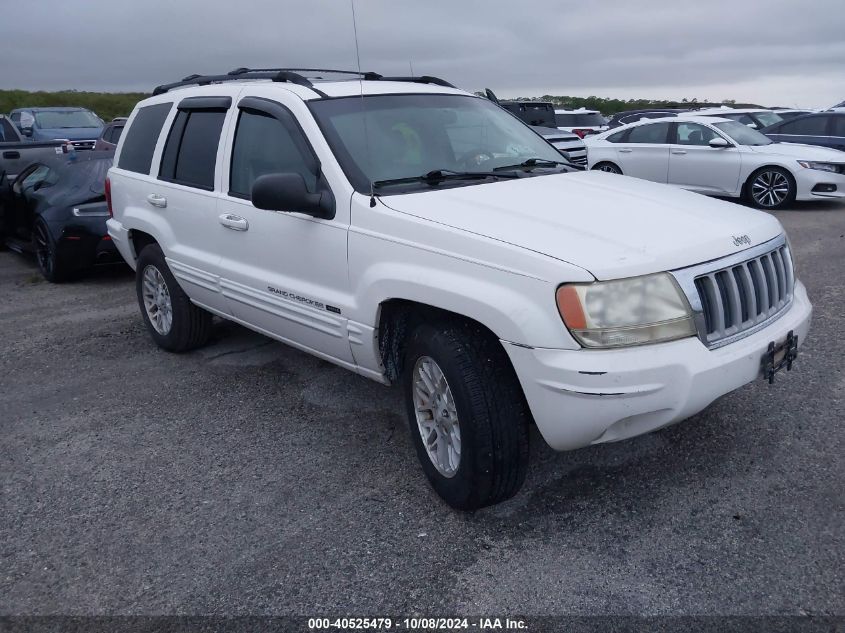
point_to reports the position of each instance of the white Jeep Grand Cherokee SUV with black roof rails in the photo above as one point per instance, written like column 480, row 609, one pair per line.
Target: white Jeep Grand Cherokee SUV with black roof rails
column 419, row 235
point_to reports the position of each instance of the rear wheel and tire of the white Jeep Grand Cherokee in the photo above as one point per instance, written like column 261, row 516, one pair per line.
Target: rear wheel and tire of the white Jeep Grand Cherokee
column 175, row 323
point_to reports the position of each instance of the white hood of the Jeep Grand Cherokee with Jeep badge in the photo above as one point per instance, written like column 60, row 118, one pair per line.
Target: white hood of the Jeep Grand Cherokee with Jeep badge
column 612, row 226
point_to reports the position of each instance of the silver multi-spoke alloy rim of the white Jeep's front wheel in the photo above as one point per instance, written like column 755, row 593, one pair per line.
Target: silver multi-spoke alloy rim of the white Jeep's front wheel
column 437, row 417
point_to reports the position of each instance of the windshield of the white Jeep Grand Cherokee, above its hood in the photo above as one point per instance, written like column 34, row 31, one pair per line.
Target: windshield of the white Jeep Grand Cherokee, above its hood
column 406, row 136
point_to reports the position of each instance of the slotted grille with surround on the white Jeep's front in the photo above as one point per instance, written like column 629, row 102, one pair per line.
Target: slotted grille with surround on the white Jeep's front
column 736, row 295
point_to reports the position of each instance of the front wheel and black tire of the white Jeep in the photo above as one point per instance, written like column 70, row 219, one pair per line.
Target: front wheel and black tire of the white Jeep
column 467, row 414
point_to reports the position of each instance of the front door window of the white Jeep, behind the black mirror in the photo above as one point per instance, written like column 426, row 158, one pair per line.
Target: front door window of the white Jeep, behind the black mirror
column 263, row 145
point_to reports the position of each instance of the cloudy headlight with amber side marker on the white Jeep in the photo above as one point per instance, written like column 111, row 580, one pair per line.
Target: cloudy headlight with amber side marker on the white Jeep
column 623, row 312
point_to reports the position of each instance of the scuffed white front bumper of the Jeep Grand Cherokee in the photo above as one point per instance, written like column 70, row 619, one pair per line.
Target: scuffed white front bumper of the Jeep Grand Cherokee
column 583, row 397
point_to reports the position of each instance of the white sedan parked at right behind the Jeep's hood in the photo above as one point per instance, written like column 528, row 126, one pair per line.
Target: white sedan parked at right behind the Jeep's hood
column 719, row 157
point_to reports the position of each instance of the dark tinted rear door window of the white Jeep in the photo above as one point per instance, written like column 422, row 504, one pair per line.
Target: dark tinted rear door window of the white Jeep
column 191, row 150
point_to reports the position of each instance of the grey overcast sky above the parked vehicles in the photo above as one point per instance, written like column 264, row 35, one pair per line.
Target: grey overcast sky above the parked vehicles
column 775, row 52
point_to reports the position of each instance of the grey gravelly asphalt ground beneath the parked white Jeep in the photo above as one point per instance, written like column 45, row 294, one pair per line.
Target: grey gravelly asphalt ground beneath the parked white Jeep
column 249, row 478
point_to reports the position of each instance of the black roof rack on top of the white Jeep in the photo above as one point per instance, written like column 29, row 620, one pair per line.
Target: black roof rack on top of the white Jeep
column 291, row 75
